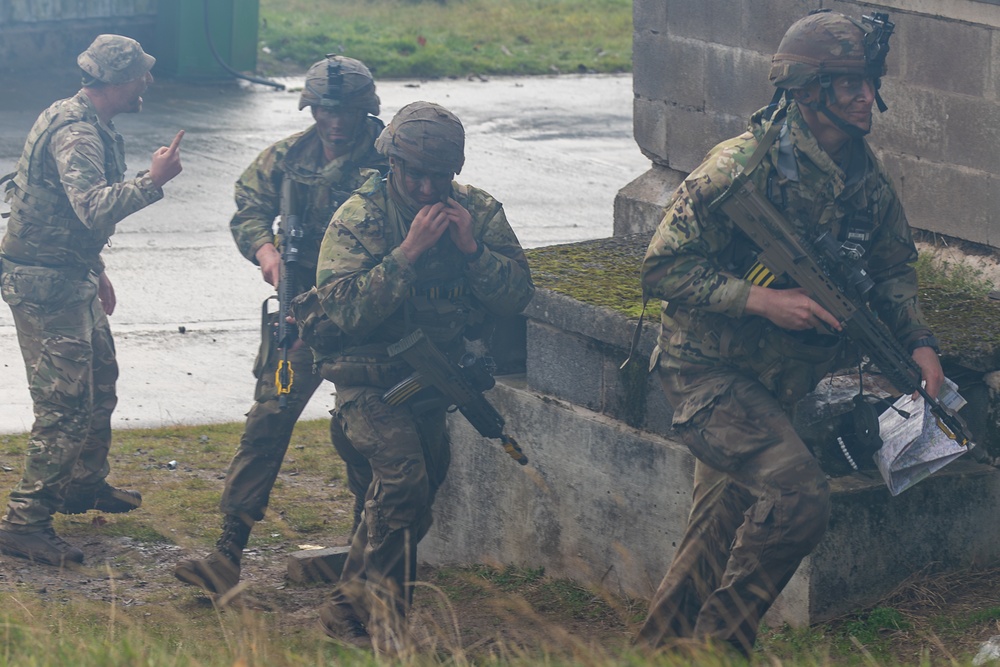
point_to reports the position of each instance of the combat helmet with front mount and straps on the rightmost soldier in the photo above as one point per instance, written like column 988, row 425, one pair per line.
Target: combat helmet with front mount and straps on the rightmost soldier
column 826, row 44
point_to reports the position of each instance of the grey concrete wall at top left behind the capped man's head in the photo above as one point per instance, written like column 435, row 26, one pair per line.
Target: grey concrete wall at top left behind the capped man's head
column 47, row 34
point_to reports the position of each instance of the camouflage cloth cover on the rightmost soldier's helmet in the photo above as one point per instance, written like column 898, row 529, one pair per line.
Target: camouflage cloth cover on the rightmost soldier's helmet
column 821, row 43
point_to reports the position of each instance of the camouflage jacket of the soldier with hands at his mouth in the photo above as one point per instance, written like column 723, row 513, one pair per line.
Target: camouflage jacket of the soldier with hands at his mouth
column 371, row 291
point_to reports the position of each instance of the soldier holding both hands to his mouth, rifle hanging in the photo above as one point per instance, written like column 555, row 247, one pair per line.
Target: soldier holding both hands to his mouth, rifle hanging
column 413, row 250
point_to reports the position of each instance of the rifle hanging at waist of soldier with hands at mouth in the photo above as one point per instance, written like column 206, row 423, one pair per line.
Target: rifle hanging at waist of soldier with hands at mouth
column 448, row 384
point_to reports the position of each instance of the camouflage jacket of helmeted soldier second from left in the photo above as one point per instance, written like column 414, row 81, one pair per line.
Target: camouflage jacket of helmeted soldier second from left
column 320, row 189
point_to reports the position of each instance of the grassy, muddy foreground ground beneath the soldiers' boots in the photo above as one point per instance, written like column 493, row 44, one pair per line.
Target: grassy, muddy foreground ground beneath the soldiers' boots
column 124, row 607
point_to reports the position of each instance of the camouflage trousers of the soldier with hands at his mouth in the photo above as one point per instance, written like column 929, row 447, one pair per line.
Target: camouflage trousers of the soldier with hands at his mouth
column 409, row 457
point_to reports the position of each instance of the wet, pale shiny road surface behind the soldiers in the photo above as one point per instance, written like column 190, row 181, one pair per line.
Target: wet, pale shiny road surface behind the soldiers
column 554, row 150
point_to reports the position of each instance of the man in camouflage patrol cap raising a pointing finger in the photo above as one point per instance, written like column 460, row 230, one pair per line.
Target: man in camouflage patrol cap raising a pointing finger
column 67, row 196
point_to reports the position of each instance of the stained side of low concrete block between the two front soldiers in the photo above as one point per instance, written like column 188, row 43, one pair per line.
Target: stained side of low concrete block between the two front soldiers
column 598, row 502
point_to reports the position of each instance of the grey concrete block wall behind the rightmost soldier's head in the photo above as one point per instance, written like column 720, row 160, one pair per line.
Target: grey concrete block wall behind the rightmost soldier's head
column 700, row 70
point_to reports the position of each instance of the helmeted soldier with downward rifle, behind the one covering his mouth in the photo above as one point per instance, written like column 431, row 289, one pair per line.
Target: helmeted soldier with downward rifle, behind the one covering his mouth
column 324, row 163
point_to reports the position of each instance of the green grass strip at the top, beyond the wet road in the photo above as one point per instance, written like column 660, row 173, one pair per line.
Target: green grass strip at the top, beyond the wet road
column 432, row 38
